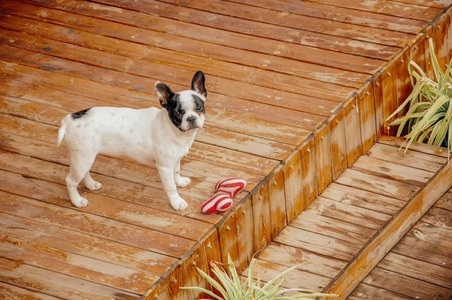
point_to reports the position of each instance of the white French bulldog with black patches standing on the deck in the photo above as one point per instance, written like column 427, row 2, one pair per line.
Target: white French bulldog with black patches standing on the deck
column 152, row 136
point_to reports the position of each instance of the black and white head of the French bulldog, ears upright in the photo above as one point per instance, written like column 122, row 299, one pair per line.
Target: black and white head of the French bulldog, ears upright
column 185, row 109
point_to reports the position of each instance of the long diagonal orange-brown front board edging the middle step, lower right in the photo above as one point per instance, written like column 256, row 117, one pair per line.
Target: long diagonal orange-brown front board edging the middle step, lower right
column 387, row 238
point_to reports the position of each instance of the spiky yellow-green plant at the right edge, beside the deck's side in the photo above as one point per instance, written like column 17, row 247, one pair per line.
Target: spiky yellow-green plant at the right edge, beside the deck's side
column 428, row 119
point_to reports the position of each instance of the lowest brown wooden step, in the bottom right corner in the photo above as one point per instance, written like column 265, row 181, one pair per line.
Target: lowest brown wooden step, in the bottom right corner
column 419, row 266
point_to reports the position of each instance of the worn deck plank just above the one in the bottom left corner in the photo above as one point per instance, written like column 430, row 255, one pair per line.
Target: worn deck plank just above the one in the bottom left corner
column 56, row 284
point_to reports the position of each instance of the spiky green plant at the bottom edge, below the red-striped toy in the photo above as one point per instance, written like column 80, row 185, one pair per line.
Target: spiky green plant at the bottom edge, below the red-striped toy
column 230, row 286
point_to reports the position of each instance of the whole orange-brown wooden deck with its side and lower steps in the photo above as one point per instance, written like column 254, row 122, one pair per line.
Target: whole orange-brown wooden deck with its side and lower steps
column 298, row 92
